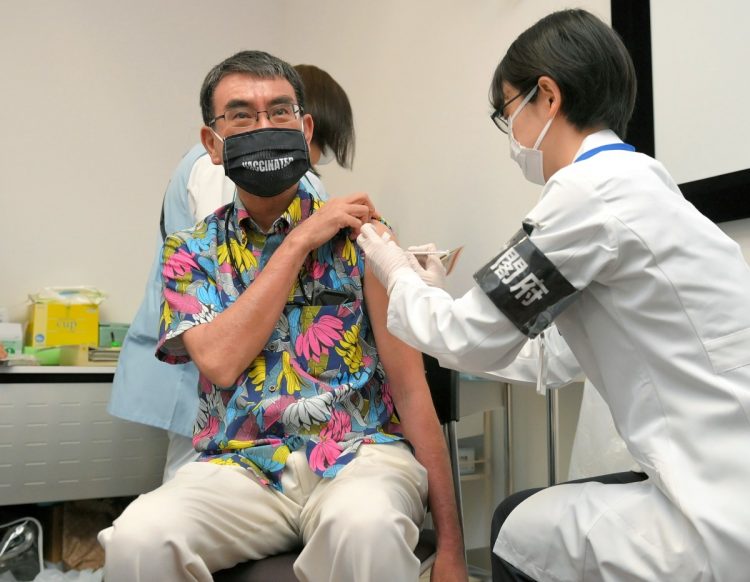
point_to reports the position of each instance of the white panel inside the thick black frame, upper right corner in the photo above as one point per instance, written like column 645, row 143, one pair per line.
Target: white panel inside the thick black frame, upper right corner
column 700, row 110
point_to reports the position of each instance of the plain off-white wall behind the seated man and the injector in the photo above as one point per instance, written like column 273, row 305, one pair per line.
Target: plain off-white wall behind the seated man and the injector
column 100, row 100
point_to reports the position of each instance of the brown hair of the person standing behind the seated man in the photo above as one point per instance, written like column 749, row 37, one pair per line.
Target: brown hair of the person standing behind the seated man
column 331, row 111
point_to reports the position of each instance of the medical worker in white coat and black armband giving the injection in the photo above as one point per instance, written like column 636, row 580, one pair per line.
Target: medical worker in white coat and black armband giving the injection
column 653, row 300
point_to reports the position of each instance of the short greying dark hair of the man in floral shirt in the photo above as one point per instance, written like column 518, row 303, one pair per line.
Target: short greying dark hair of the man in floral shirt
column 254, row 63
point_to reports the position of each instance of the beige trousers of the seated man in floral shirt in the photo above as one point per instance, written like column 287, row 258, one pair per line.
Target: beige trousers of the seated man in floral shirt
column 360, row 526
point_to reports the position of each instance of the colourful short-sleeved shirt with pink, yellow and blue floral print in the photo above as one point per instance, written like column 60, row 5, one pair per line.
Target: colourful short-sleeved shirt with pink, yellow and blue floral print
column 317, row 384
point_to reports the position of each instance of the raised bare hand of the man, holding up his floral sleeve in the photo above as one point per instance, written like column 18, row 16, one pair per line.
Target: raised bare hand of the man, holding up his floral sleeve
column 342, row 212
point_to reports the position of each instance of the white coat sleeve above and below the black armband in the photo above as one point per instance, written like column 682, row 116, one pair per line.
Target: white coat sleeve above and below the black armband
column 569, row 225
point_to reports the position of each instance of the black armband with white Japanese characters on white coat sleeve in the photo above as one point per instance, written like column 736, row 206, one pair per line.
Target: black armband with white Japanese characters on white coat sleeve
column 525, row 285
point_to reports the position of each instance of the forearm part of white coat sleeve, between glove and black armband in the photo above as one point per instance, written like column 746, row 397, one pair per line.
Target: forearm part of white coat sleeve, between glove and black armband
column 468, row 333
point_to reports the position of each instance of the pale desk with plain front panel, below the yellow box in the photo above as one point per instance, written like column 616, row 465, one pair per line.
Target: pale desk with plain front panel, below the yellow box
column 58, row 443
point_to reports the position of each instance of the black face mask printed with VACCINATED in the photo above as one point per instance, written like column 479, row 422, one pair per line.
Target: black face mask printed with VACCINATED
column 267, row 161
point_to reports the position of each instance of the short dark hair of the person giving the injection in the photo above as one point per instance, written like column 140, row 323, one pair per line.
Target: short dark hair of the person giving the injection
column 587, row 60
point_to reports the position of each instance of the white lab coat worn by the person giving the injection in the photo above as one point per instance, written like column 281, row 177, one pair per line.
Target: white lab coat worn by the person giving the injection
column 662, row 327
